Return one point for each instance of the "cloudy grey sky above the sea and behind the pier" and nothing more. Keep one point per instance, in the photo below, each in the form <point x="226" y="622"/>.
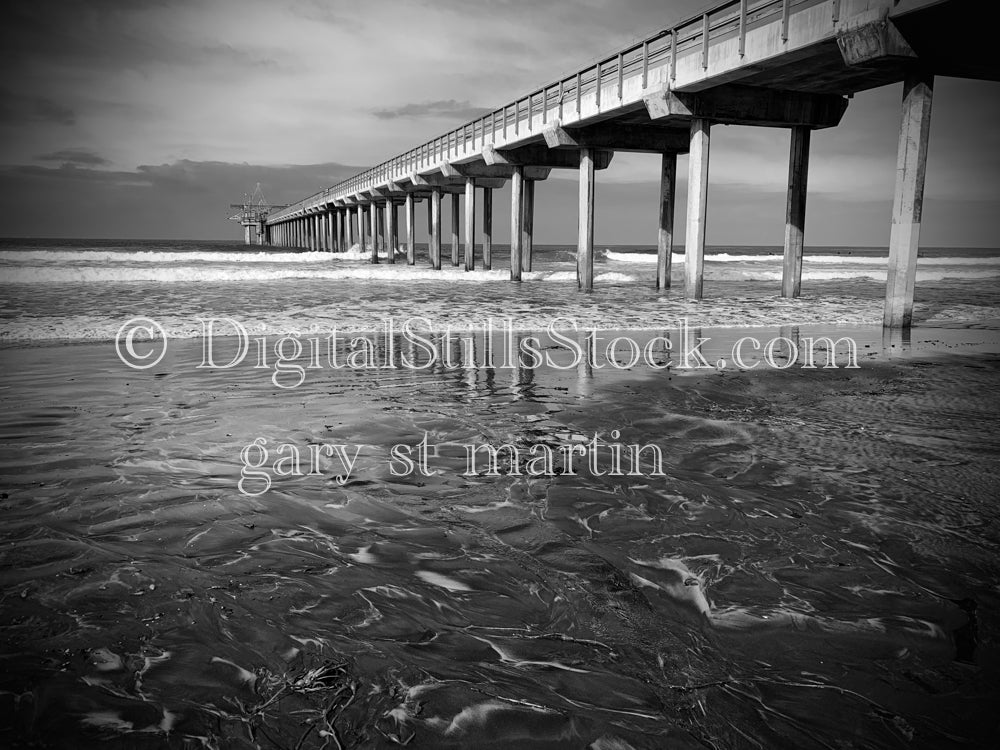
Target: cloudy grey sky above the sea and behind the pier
<point x="129" y="119"/>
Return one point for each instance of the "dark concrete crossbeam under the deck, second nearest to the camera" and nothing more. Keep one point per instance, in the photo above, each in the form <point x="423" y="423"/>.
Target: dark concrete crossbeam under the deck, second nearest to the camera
<point x="748" y="105"/>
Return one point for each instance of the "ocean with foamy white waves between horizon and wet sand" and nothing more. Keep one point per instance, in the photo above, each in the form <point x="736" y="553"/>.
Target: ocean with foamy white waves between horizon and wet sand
<point x="84" y="290"/>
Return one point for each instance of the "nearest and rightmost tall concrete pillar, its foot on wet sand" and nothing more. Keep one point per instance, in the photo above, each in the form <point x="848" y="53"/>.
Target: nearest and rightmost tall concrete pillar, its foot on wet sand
<point x="908" y="198"/>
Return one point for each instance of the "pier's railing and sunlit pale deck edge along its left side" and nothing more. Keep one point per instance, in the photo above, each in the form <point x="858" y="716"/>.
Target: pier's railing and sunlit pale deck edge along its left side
<point x="609" y="83"/>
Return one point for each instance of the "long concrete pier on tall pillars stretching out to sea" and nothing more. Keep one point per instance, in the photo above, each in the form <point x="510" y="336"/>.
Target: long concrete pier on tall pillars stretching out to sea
<point x="790" y="64"/>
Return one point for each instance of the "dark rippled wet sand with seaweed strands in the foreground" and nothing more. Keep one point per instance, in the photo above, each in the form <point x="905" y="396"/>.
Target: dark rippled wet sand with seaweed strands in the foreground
<point x="818" y="568"/>
